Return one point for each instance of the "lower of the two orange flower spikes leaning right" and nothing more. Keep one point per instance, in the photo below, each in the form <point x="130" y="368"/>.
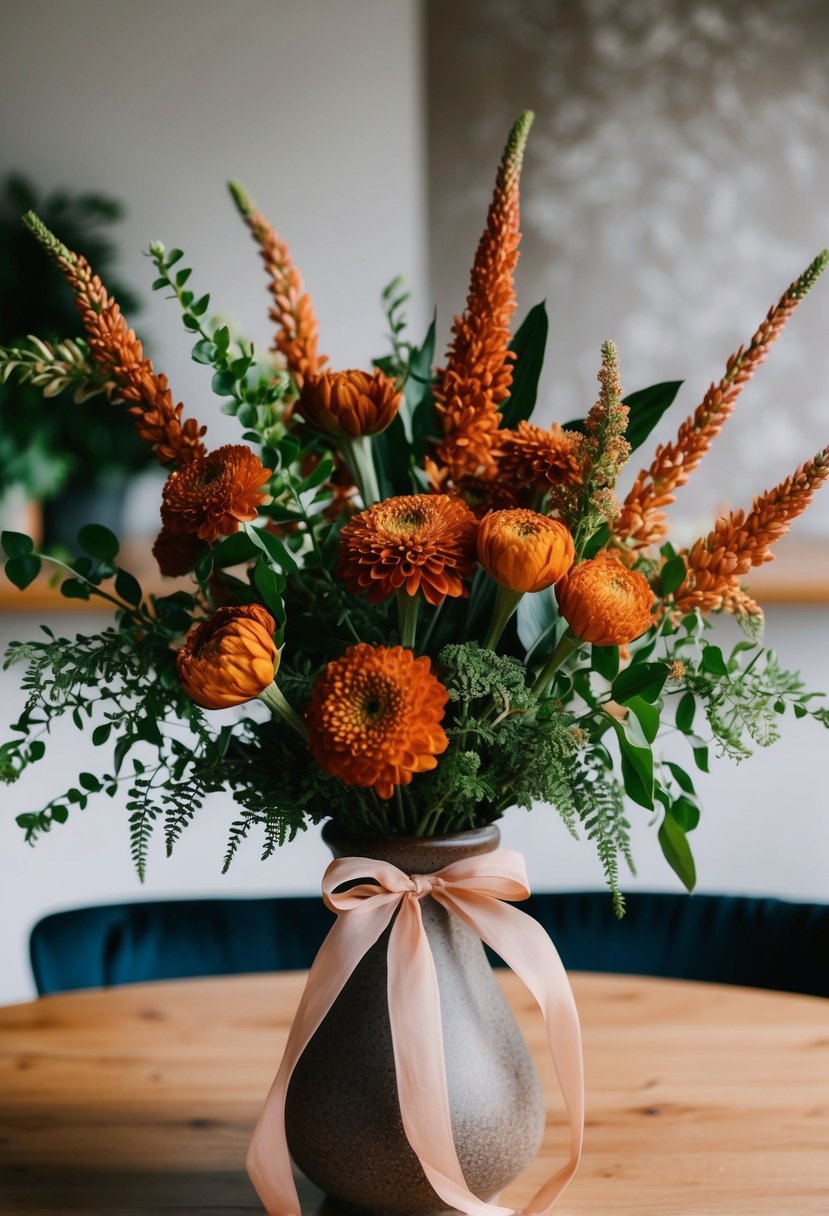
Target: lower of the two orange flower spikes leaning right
<point x="738" y="542"/>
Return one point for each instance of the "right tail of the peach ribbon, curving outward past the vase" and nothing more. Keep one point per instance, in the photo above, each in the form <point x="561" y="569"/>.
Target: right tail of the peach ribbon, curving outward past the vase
<point x="529" y="953"/>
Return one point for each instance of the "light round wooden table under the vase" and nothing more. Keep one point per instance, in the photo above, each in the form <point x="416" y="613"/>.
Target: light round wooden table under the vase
<point x="702" y="1100"/>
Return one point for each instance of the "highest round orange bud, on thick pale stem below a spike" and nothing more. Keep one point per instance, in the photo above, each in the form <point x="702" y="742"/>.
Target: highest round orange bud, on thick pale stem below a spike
<point x="349" y="403"/>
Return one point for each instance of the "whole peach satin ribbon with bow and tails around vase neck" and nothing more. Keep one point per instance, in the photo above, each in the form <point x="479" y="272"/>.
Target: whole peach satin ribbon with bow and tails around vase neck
<point x="475" y="891"/>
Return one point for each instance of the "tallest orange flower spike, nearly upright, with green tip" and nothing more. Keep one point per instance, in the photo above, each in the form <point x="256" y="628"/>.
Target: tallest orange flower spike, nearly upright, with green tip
<point x="478" y="373"/>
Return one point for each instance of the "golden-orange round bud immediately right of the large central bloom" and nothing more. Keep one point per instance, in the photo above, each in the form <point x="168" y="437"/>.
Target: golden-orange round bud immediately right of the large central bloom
<point x="523" y="550"/>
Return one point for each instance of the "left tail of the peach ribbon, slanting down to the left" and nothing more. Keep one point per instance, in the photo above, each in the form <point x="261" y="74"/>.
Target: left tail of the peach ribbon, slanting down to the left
<point x="268" y="1162"/>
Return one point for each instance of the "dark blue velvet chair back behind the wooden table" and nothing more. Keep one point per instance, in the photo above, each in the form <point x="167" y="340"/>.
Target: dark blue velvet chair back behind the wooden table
<point x="760" y="943"/>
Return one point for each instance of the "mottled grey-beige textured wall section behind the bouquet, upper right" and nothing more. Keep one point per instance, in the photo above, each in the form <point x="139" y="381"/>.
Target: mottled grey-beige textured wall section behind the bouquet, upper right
<point x="676" y="182"/>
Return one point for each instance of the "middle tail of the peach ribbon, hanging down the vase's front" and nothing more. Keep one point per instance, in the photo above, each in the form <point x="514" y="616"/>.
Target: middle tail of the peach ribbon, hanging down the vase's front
<point x="418" y="1039"/>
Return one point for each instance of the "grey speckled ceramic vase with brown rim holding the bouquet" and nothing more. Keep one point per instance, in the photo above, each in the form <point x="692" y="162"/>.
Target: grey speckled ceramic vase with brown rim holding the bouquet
<point x="343" y="1119"/>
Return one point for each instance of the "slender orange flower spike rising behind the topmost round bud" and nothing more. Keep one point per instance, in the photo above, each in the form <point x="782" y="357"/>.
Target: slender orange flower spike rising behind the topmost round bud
<point x="297" y="336"/>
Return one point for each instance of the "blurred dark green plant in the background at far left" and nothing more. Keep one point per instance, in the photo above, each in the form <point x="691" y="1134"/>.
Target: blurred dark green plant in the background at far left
<point x="76" y="463"/>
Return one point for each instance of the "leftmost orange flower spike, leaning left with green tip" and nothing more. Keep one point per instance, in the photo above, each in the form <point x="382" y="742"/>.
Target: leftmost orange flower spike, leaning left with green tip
<point x="120" y="354"/>
